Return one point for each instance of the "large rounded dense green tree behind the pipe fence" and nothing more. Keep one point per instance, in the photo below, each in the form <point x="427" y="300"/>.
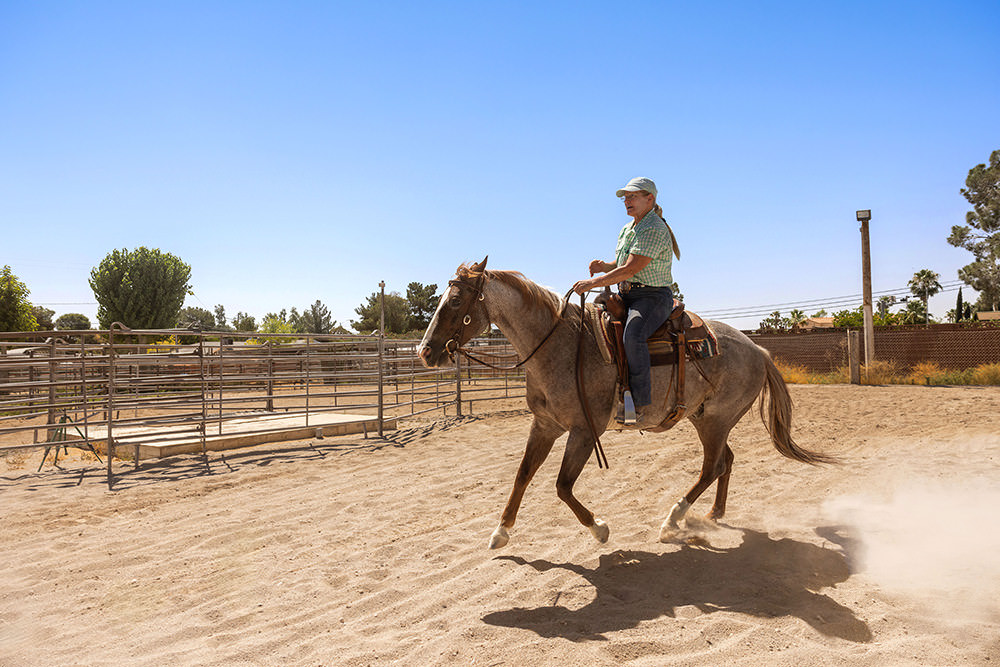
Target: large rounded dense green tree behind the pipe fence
<point x="143" y="288"/>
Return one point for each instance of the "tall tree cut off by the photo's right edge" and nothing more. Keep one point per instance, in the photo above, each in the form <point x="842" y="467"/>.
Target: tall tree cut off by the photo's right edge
<point x="980" y="234"/>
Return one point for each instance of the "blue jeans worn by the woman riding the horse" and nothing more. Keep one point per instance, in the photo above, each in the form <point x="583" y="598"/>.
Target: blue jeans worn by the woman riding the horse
<point x="648" y="309"/>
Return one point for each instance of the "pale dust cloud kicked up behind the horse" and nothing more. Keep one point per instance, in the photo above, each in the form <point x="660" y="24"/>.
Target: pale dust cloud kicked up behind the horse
<point x="937" y="540"/>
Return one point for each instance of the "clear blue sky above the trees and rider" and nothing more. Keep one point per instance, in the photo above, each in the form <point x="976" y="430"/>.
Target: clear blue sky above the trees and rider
<point x="294" y="151"/>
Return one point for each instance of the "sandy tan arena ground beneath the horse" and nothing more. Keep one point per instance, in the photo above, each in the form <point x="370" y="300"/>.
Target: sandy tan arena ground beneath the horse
<point x="346" y="551"/>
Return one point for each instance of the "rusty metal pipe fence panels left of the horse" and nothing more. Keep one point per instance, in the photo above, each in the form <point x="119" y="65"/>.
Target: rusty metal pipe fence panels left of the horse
<point x="78" y="388"/>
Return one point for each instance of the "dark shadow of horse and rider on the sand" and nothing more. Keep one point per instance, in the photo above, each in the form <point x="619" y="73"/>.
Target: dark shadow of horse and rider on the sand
<point x="762" y="577"/>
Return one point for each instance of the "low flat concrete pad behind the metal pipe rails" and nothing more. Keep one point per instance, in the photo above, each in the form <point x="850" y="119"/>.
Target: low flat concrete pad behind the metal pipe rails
<point x="236" y="431"/>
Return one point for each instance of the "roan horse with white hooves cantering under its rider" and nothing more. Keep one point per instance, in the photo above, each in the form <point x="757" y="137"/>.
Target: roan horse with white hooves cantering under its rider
<point x="545" y="332"/>
